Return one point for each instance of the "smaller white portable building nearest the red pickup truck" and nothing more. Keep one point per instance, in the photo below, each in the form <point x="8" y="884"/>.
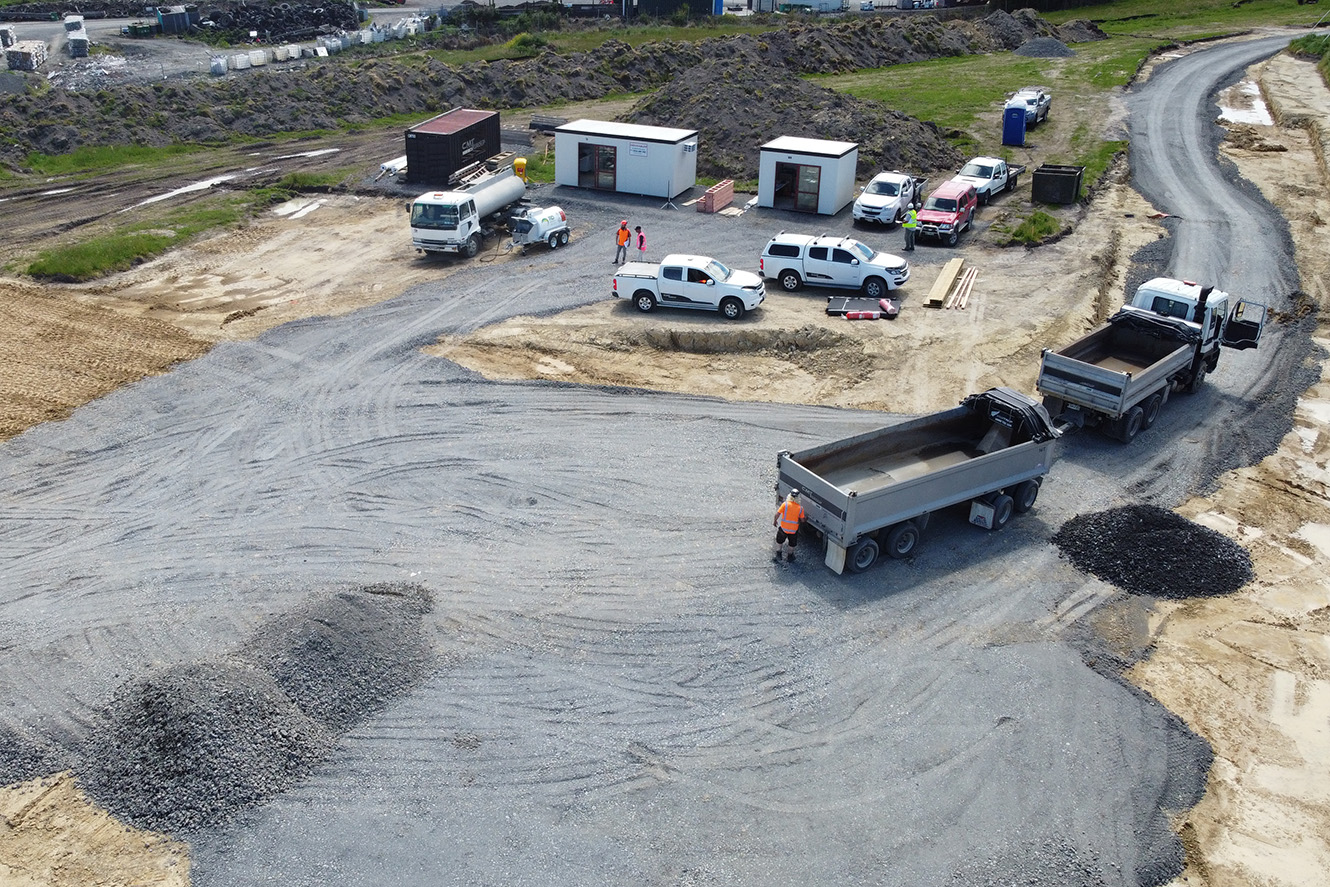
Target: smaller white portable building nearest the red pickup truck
<point x="807" y="175"/>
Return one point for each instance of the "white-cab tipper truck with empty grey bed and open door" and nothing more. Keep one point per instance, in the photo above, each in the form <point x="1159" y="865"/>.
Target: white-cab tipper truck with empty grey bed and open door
<point x="1167" y="340"/>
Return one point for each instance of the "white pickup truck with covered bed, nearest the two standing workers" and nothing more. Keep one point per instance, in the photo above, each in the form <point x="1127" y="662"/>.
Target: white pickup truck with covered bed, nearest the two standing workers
<point x="690" y="283"/>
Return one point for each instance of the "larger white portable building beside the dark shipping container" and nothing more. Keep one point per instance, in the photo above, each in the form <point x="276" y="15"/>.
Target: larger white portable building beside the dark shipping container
<point x="631" y="159"/>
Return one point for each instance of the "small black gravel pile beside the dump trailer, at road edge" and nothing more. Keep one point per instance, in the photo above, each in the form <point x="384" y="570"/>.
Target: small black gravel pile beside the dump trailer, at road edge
<point x="1147" y="550"/>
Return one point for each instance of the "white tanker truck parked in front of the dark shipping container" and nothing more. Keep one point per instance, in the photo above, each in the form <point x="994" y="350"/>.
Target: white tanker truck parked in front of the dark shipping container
<point x="458" y="221"/>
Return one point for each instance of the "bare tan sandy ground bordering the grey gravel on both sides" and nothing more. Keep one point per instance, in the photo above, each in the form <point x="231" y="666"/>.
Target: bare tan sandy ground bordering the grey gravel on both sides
<point x="1246" y="672"/>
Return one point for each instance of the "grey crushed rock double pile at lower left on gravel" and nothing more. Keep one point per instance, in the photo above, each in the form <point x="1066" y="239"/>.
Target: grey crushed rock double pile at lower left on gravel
<point x="191" y="745"/>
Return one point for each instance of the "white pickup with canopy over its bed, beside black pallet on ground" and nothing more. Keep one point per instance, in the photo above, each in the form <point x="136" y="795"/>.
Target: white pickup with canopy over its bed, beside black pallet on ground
<point x="843" y="263"/>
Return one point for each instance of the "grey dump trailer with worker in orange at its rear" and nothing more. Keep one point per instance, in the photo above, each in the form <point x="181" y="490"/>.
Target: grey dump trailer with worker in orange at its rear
<point x="876" y="493"/>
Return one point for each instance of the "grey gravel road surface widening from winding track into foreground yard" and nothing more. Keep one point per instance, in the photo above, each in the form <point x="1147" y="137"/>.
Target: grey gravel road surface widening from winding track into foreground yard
<point x="630" y="691"/>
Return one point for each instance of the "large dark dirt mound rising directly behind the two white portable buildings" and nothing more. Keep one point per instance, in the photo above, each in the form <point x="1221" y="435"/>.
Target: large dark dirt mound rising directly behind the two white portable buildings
<point x="740" y="104"/>
